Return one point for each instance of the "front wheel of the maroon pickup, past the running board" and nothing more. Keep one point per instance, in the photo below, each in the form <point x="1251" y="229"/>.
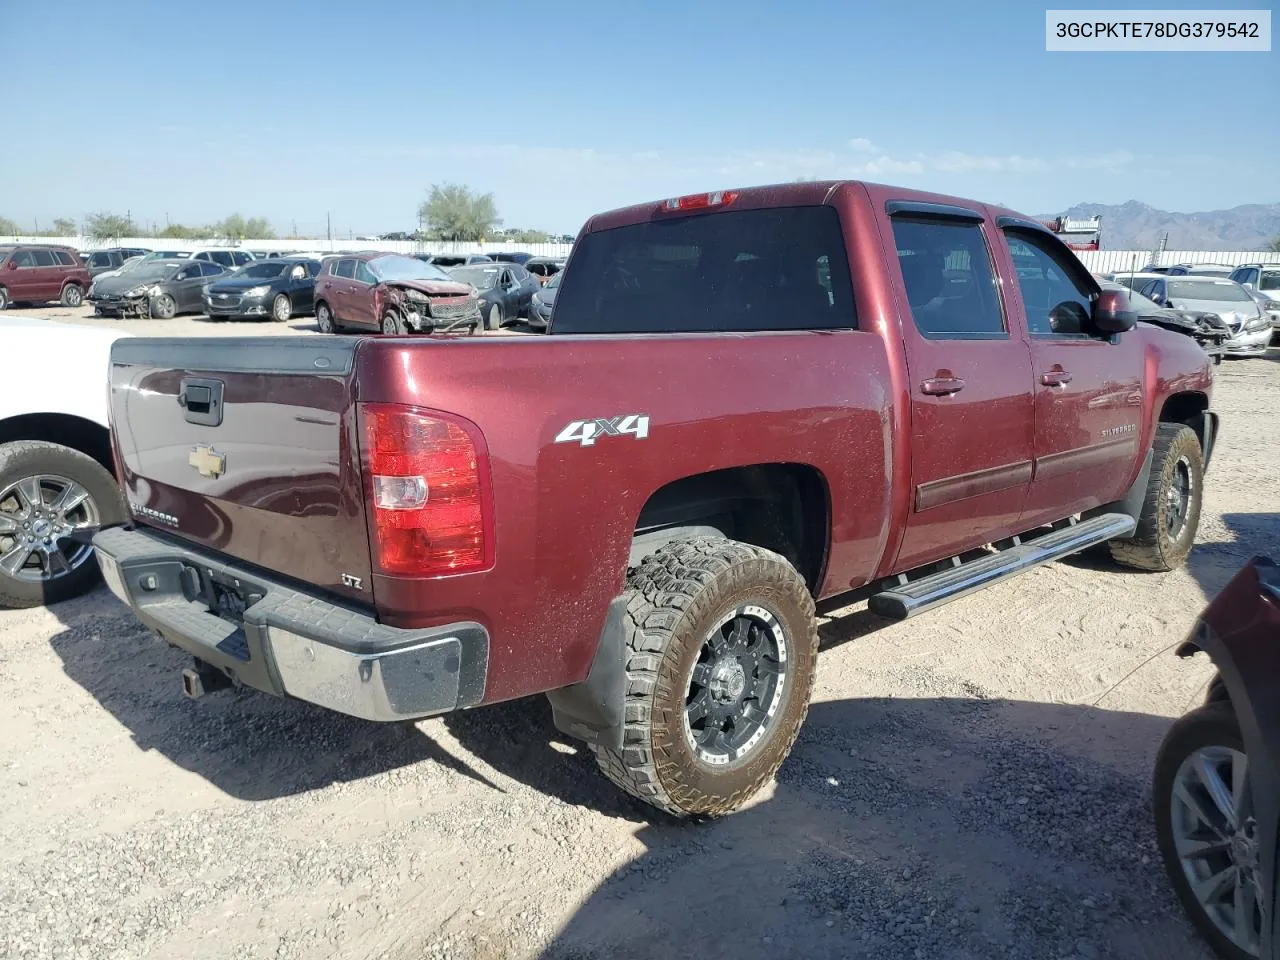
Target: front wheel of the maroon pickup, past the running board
<point x="1172" y="509"/>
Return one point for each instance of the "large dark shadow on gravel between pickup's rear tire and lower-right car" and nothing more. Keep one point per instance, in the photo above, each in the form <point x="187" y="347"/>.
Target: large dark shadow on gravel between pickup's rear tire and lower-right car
<point x="907" y="829"/>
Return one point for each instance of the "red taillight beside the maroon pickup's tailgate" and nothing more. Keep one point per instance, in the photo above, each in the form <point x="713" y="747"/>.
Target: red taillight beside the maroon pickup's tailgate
<point x="427" y="478"/>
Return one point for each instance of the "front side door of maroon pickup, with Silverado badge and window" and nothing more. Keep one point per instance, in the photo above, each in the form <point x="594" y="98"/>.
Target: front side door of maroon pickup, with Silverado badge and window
<point x="1089" y="388"/>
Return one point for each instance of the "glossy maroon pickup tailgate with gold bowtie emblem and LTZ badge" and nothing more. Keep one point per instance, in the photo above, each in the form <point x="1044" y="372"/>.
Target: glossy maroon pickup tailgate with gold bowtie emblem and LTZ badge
<point x="248" y="447"/>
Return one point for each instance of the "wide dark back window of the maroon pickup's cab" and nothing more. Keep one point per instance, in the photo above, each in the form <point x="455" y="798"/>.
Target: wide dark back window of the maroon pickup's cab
<point x="739" y="271"/>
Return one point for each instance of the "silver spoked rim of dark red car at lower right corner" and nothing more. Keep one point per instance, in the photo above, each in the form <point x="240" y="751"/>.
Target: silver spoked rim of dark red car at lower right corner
<point x="1217" y="842"/>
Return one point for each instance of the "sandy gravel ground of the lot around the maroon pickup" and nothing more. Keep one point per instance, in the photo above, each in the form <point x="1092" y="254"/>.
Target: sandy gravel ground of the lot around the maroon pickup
<point x="973" y="784"/>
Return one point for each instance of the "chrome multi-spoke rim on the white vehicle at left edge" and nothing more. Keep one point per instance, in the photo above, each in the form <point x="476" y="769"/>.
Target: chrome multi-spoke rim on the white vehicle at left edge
<point x="38" y="518"/>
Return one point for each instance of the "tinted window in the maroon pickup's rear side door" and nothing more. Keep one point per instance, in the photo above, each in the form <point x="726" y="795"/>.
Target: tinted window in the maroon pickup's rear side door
<point x="949" y="280"/>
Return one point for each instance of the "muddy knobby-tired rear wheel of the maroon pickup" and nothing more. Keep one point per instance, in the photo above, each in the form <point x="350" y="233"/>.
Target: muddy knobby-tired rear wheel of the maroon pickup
<point x="721" y="647"/>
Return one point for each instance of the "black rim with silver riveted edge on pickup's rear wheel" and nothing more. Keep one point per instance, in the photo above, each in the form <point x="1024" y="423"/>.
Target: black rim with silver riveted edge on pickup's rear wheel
<point x="737" y="685"/>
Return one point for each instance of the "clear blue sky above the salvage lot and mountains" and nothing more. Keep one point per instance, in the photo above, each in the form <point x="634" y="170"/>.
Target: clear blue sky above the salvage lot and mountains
<point x="291" y="111"/>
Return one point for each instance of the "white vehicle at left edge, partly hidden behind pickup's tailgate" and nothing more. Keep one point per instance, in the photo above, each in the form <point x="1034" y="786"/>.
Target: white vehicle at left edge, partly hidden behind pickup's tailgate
<point x="56" y="461"/>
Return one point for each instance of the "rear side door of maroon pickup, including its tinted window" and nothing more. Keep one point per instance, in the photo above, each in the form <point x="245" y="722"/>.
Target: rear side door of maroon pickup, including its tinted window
<point x="970" y="382"/>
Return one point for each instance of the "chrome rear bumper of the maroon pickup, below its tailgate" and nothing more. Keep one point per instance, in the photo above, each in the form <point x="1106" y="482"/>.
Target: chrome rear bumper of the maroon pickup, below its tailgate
<point x="290" y="643"/>
